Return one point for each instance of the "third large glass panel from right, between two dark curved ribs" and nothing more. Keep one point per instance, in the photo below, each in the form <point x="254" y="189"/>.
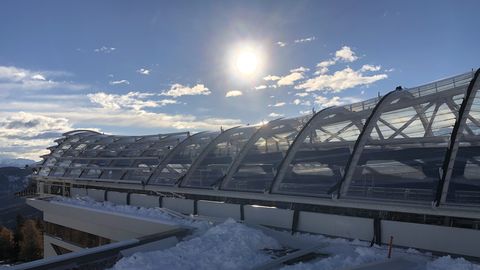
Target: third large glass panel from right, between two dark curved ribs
<point x="319" y="163"/>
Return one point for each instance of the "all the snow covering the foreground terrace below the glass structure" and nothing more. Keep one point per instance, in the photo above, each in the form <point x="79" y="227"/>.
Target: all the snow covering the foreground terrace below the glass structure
<point x="233" y="245"/>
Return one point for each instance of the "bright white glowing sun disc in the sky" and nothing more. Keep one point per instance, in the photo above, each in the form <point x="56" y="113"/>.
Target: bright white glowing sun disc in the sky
<point x="246" y="61"/>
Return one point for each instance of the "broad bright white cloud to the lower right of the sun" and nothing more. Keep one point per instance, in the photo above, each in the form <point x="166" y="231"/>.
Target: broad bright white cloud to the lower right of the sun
<point x="340" y="80"/>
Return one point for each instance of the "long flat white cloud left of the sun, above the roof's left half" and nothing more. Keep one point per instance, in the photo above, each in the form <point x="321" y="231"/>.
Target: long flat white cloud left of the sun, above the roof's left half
<point x="133" y="100"/>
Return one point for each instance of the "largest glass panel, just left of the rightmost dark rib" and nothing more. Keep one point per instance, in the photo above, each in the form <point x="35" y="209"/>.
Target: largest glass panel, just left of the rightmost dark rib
<point x="403" y="161"/>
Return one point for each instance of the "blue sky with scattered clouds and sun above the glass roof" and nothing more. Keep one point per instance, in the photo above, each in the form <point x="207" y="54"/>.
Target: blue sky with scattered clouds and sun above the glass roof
<point x="149" y="67"/>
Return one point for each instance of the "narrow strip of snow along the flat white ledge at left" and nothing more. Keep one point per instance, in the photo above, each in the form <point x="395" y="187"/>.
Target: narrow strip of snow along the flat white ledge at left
<point x="152" y="213"/>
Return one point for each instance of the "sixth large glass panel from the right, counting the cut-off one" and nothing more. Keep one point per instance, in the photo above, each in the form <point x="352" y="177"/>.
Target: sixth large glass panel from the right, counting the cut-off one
<point x="178" y="164"/>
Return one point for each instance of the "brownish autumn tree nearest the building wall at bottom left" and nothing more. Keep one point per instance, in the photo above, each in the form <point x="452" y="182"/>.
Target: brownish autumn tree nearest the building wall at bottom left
<point x="31" y="245"/>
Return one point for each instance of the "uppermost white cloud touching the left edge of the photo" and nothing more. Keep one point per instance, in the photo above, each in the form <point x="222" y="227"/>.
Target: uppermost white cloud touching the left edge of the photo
<point x="14" y="78"/>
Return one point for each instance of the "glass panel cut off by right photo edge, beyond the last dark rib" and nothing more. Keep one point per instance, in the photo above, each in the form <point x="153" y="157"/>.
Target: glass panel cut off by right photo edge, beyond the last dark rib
<point x="465" y="180"/>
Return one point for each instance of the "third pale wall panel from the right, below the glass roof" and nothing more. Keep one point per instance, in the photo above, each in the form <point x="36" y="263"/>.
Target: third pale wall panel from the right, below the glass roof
<point x="269" y="216"/>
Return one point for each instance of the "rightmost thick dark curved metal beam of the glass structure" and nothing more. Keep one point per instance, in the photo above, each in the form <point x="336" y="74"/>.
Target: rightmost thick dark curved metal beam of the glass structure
<point x="457" y="132"/>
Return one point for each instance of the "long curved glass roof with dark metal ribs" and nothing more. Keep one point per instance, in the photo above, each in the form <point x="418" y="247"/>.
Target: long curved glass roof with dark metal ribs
<point x="419" y="144"/>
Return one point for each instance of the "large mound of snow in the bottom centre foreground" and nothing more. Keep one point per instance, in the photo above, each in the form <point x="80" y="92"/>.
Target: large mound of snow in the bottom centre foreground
<point x="229" y="245"/>
